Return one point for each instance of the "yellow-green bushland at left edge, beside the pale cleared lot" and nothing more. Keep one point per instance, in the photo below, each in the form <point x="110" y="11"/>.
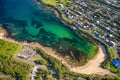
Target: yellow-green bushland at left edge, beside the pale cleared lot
<point x="8" y="65"/>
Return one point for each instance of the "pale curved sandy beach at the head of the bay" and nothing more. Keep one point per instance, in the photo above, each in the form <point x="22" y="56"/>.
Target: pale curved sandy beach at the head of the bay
<point x="94" y="65"/>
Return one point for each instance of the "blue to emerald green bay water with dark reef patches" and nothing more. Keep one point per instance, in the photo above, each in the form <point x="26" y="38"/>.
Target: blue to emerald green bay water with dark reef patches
<point x="26" y="20"/>
